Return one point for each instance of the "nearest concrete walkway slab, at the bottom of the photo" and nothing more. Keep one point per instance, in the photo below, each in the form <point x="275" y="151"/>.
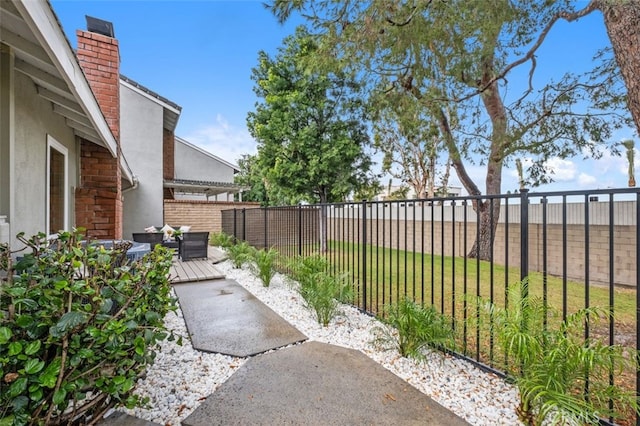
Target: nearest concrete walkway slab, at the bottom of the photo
<point x="318" y="384"/>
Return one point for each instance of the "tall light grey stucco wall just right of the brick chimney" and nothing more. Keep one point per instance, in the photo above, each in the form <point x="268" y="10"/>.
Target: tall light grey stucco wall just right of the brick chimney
<point x="141" y="138"/>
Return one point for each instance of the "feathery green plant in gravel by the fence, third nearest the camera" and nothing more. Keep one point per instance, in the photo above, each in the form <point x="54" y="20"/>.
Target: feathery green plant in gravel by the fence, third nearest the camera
<point x="321" y="290"/>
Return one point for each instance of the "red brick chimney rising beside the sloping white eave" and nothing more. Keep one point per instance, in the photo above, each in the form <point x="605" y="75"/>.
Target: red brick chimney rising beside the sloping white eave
<point x="99" y="195"/>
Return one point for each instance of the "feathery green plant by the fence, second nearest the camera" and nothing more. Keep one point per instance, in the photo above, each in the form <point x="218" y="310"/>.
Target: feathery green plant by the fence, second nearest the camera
<point x="413" y="327"/>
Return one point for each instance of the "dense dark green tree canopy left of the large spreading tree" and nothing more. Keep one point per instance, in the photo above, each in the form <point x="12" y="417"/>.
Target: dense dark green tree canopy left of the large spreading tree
<point x="310" y="127"/>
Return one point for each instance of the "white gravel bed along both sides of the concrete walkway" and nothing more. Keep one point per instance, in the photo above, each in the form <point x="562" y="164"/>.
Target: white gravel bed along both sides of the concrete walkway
<point x="182" y="377"/>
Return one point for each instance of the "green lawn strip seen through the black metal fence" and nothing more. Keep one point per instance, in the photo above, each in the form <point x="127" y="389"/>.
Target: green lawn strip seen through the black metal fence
<point x="444" y="281"/>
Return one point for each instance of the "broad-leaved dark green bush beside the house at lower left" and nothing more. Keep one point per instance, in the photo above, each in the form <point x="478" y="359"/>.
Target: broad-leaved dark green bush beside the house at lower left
<point x="77" y="329"/>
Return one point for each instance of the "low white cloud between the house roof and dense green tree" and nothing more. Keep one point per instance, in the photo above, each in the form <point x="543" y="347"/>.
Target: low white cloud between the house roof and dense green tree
<point x="224" y="140"/>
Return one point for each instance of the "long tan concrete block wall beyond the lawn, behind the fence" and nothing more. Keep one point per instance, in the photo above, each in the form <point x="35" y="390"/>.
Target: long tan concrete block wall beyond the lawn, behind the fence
<point x="418" y="236"/>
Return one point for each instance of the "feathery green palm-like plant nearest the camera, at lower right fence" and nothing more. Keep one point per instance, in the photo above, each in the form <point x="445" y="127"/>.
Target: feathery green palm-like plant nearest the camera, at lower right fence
<point x="551" y="366"/>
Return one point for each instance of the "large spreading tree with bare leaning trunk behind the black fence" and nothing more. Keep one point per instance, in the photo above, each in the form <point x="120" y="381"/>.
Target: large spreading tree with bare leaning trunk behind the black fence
<point x="457" y="58"/>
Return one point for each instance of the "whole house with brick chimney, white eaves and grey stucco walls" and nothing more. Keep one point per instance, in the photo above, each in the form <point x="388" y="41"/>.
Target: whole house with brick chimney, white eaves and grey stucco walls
<point x="50" y="93"/>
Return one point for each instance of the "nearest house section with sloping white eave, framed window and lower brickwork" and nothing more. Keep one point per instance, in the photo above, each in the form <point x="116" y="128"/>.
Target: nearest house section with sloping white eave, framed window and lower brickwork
<point x="46" y="99"/>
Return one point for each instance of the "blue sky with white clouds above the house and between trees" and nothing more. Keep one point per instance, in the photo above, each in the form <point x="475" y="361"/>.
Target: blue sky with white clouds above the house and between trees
<point x="199" y="54"/>
